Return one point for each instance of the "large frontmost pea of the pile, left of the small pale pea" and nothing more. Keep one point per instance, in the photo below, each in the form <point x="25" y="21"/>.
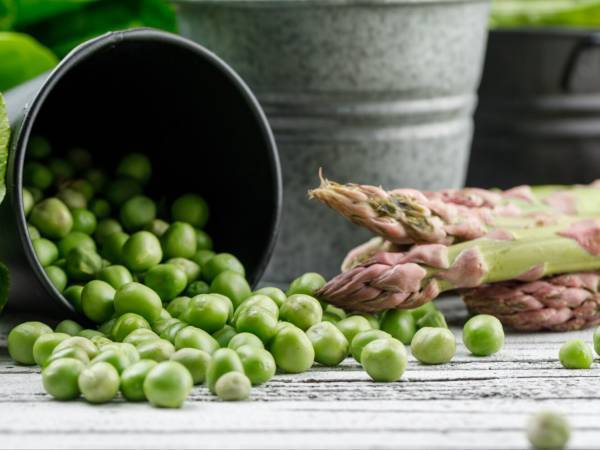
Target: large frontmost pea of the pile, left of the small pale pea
<point x="168" y="384"/>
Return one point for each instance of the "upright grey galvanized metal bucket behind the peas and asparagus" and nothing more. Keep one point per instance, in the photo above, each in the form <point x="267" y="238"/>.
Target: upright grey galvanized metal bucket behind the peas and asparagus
<point x="373" y="91"/>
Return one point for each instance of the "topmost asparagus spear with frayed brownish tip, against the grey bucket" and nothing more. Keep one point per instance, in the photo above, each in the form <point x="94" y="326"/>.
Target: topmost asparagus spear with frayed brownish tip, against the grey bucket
<point x="405" y="216"/>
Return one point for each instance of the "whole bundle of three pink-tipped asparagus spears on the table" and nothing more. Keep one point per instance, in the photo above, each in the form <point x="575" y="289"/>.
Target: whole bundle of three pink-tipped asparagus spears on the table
<point x="507" y="252"/>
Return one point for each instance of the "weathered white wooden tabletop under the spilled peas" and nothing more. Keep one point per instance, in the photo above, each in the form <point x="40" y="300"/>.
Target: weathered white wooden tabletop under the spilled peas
<point x="472" y="403"/>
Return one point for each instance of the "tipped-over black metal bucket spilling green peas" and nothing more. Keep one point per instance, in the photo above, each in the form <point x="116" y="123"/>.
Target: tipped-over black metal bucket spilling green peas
<point x="154" y="92"/>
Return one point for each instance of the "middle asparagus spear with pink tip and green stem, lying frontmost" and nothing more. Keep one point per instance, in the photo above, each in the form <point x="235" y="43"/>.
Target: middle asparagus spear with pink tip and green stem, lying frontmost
<point x="409" y="279"/>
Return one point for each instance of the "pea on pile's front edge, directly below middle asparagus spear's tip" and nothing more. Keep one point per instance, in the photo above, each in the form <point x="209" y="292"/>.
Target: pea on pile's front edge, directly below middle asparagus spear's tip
<point x="329" y="343"/>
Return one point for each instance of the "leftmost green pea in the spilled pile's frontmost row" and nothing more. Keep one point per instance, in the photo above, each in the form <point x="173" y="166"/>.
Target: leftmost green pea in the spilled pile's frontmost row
<point x="60" y="378"/>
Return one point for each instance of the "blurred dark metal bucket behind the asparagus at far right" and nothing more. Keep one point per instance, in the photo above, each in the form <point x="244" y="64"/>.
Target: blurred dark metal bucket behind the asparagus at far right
<point x="538" y="119"/>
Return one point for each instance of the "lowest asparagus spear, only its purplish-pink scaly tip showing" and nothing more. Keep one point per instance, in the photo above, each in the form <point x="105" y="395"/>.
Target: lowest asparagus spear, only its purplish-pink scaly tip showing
<point x="561" y="303"/>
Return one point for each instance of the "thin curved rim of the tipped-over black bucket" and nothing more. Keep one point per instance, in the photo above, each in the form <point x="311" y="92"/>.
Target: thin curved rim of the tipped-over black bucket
<point x="87" y="50"/>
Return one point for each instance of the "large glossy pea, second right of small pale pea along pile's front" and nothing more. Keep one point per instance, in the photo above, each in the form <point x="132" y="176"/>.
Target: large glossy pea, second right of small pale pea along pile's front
<point x="292" y="350"/>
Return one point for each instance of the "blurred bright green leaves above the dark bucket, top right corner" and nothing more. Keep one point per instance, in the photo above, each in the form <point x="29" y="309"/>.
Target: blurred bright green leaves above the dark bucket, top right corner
<point x="563" y="13"/>
